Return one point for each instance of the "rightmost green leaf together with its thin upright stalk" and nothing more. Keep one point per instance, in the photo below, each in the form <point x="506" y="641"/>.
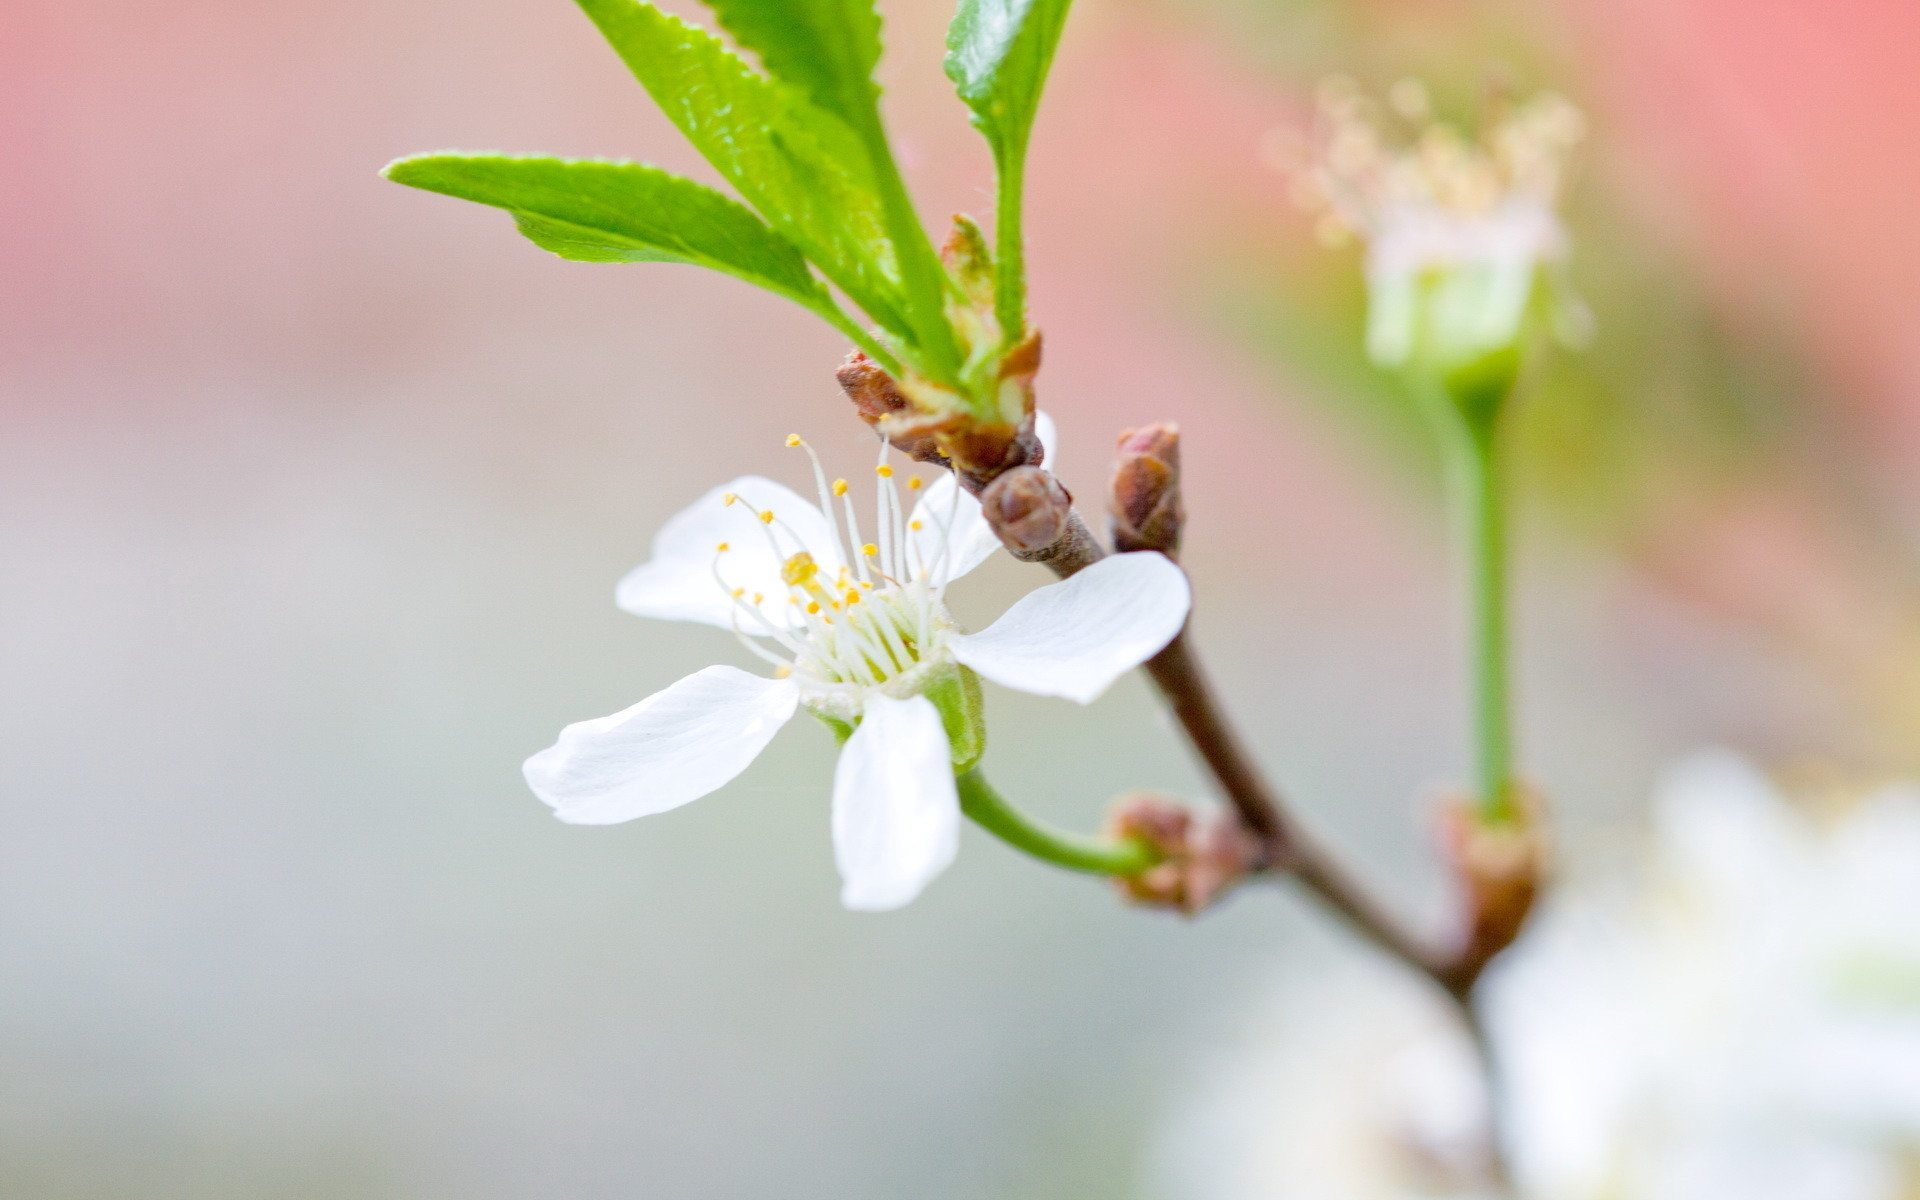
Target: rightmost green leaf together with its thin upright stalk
<point x="999" y="55"/>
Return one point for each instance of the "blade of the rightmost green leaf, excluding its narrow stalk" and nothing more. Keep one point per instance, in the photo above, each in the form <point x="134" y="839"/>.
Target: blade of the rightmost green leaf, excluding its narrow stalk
<point x="997" y="55"/>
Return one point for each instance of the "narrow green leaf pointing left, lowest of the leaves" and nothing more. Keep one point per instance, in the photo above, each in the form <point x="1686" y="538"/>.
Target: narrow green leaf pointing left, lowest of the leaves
<point x="602" y="212"/>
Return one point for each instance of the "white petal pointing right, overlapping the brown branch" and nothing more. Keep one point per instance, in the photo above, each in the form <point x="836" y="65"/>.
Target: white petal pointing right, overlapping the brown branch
<point x="1074" y="638"/>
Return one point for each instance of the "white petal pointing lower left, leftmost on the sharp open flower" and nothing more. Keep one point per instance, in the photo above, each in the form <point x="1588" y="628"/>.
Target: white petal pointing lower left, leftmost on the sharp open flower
<point x="671" y="748"/>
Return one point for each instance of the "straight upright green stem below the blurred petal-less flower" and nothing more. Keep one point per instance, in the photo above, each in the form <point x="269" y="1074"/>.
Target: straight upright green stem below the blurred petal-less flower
<point x="1485" y="523"/>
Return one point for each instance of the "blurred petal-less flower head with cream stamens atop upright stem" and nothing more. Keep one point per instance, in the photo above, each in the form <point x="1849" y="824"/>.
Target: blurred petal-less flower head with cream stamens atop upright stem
<point x="1456" y="231"/>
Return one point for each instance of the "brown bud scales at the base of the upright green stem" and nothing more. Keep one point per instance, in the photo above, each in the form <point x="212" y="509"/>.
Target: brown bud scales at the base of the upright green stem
<point x="1499" y="869"/>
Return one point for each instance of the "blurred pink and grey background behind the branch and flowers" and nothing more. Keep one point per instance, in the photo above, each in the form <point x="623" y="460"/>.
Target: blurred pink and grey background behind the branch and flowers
<point x="314" y="492"/>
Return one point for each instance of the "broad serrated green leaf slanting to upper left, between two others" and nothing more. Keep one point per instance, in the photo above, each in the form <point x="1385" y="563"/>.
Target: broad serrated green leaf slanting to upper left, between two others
<point x="800" y="164"/>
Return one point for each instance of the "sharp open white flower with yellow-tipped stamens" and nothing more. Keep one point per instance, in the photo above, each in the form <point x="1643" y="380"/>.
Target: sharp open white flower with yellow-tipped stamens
<point x="855" y="631"/>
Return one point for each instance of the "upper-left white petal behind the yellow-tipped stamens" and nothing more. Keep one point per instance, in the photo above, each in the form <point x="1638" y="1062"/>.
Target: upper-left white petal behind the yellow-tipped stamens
<point x="679" y="581"/>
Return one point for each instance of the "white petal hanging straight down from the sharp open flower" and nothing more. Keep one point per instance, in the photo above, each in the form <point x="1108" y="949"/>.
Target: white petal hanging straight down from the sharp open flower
<point x="896" y="807"/>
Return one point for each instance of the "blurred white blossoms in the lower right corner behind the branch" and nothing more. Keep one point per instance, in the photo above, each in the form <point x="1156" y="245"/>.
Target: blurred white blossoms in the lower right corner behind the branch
<point x="1740" y="1022"/>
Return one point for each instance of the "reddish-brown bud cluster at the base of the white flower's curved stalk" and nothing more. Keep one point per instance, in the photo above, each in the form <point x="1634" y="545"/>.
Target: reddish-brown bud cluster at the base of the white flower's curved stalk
<point x="1199" y="857"/>
